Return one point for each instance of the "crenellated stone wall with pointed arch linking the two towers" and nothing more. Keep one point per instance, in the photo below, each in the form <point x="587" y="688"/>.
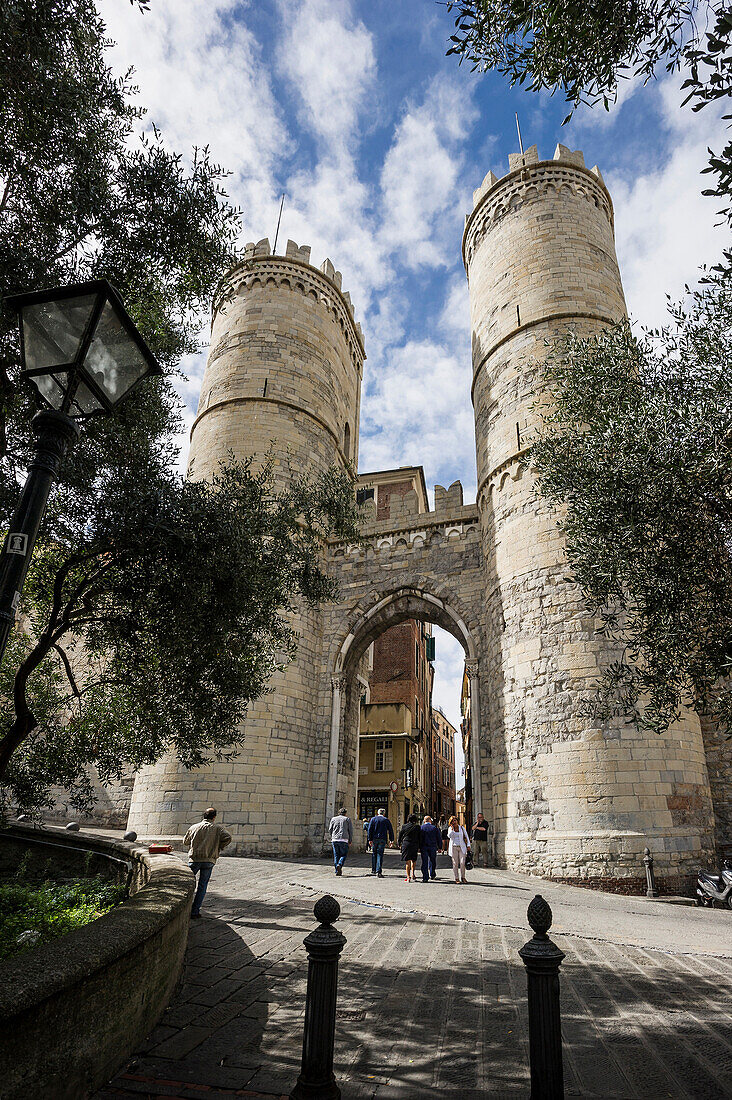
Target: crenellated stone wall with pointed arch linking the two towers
<point x="412" y="566"/>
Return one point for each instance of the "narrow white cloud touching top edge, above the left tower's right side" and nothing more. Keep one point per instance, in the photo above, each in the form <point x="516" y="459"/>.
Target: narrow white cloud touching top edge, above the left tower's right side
<point x="330" y="59"/>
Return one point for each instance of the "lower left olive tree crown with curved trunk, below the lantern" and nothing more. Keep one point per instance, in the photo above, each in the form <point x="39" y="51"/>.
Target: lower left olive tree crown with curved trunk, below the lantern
<point x="156" y="619"/>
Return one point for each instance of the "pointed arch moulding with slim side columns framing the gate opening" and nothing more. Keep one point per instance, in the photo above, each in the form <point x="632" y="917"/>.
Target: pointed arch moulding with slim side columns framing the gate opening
<point x="402" y="602"/>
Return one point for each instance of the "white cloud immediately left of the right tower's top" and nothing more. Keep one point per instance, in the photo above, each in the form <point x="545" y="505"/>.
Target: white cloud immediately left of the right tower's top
<point x="424" y="196"/>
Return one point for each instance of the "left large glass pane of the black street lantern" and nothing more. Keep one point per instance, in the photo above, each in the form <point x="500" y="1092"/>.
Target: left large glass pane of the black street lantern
<point x="53" y="331"/>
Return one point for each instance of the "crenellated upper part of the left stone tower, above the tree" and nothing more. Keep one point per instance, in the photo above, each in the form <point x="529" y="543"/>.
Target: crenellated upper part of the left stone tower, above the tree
<point x="283" y="372"/>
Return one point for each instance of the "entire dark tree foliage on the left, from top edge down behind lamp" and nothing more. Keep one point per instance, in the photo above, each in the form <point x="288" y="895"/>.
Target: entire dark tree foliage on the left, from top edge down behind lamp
<point x="156" y="610"/>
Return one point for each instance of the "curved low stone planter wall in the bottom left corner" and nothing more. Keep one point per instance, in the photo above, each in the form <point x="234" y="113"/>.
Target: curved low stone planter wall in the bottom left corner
<point x="74" y="1009"/>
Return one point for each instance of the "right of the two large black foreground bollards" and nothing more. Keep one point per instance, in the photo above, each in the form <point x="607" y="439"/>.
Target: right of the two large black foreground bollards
<point x="543" y="960"/>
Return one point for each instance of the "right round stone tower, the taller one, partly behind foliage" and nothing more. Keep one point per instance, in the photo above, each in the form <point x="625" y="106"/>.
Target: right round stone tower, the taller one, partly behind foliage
<point x="571" y="798"/>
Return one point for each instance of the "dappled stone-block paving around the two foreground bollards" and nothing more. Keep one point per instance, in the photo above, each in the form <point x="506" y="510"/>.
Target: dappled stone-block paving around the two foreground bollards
<point x="427" y="1007"/>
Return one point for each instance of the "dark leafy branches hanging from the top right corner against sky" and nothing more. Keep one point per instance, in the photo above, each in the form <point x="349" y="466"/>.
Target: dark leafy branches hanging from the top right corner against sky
<point x="585" y="51"/>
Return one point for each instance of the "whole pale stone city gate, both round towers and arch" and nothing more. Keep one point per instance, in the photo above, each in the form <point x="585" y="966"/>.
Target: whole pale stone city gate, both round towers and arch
<point x="567" y="797"/>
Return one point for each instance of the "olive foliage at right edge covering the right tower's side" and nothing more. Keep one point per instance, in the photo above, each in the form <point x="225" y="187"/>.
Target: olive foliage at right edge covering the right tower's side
<point x="637" y="446"/>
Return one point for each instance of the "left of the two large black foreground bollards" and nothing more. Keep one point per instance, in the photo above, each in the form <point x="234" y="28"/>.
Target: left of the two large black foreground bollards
<point x="316" y="1079"/>
